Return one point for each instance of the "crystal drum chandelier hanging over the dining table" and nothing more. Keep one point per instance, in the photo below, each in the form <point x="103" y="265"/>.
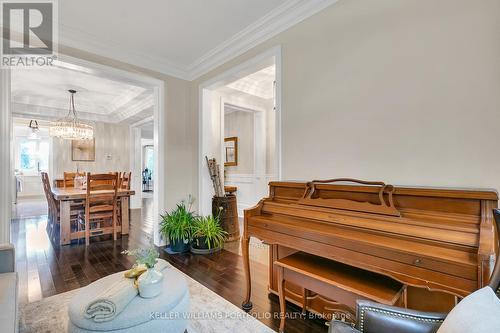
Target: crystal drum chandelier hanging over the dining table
<point x="70" y="128"/>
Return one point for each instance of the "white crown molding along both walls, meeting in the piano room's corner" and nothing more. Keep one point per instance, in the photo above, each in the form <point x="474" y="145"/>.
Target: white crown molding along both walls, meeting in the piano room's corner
<point x="273" y="23"/>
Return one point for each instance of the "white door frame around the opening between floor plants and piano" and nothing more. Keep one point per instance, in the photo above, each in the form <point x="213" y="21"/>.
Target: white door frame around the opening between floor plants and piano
<point x="233" y="73"/>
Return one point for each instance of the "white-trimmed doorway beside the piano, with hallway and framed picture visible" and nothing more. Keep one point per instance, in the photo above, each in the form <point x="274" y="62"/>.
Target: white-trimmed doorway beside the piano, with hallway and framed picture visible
<point x="242" y="103"/>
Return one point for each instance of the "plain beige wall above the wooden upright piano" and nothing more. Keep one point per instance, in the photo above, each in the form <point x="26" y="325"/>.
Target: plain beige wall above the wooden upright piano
<point x="404" y="91"/>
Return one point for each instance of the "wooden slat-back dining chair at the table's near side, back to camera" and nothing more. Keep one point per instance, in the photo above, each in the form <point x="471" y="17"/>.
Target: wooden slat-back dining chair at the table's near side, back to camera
<point x="100" y="216"/>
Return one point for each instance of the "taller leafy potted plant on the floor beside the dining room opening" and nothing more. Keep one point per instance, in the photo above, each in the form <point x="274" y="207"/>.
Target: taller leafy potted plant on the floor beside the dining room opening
<point x="177" y="226"/>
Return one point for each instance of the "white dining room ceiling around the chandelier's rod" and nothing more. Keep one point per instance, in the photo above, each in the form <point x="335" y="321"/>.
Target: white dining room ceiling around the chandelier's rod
<point x="43" y="94"/>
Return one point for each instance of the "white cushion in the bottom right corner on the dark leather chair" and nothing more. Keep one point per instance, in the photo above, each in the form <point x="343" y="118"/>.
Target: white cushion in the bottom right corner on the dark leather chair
<point x="477" y="313"/>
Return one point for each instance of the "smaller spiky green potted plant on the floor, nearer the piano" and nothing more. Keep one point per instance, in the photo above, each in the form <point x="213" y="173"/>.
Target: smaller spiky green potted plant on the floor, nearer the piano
<point x="208" y="235"/>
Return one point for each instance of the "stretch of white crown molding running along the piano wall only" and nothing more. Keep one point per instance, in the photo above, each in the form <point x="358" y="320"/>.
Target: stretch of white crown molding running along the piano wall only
<point x="276" y="21"/>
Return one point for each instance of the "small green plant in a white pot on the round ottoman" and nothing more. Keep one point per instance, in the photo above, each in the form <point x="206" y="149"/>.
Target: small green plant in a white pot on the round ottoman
<point x="149" y="282"/>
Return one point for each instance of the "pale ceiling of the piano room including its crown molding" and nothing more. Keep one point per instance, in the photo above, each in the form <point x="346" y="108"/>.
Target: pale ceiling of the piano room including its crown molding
<point x="181" y="38"/>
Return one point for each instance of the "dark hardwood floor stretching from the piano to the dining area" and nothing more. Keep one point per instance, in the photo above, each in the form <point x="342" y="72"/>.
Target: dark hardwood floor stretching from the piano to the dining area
<point x="46" y="269"/>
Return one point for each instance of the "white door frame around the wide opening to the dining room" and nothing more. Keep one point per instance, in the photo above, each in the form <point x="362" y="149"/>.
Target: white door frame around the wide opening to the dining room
<point x="159" y="116"/>
